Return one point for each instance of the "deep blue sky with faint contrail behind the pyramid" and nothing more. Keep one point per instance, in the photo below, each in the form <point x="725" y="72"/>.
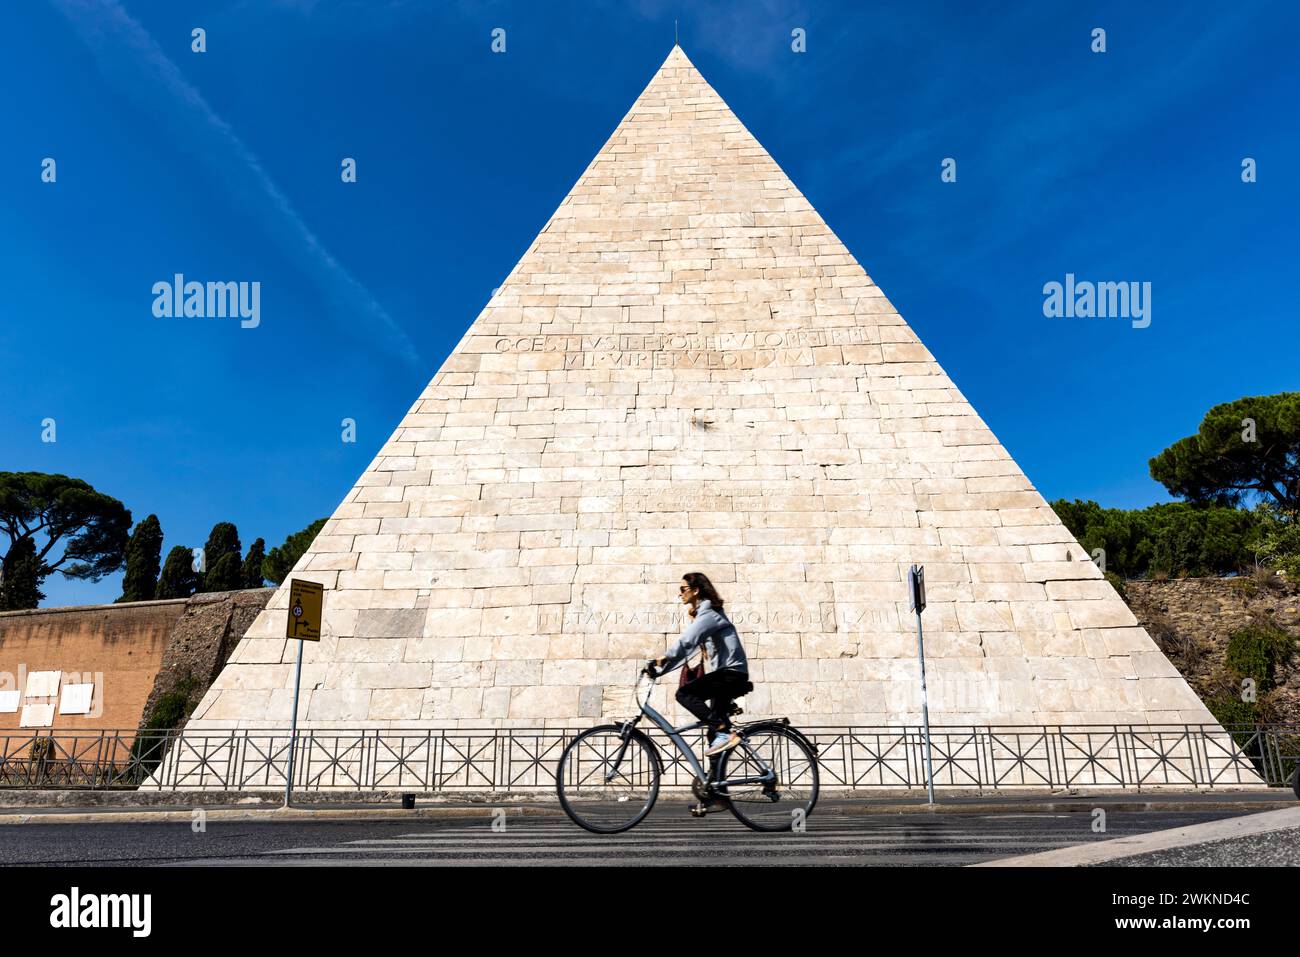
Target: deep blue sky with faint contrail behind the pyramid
<point x="226" y="166"/>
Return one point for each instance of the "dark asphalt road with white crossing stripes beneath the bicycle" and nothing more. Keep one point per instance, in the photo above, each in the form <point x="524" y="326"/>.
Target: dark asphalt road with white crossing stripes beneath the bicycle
<point x="669" y="837"/>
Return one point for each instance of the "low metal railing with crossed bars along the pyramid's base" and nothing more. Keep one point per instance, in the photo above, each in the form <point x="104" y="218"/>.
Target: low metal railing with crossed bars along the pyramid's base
<point x="522" y="760"/>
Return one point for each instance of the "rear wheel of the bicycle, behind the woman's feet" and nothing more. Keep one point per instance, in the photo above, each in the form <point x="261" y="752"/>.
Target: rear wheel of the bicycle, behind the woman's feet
<point x="790" y="768"/>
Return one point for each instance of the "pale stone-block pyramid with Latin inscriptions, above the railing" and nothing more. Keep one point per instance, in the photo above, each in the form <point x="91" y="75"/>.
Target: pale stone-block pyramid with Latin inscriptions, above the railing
<point x="688" y="371"/>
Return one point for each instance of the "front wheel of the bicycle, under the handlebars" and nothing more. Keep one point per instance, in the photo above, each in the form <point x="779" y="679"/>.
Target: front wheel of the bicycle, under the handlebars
<point x="606" y="781"/>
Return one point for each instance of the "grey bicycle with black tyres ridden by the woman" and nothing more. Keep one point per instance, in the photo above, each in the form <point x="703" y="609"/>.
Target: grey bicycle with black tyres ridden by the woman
<point x="609" y="777"/>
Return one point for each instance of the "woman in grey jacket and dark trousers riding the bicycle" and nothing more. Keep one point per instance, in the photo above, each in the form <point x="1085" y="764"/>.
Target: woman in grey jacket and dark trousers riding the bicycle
<point x="726" y="675"/>
